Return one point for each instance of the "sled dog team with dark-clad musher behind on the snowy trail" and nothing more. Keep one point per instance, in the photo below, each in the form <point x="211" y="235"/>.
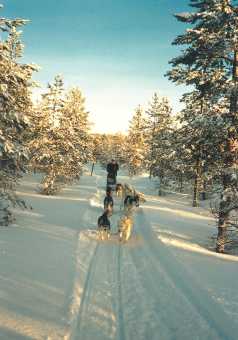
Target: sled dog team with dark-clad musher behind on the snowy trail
<point x="130" y="198"/>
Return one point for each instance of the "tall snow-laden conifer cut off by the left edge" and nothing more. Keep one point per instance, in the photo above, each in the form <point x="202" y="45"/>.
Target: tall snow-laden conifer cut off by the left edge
<point x="15" y="108"/>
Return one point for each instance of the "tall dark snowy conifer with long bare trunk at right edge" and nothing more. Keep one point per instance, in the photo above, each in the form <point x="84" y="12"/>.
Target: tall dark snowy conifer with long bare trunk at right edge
<point x="210" y="62"/>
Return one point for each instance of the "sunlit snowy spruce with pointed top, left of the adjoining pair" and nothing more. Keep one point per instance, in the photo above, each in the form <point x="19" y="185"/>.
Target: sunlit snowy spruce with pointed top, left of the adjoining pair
<point x="48" y="145"/>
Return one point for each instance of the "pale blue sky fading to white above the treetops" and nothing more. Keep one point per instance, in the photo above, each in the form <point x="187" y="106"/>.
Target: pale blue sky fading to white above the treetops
<point x="116" y="51"/>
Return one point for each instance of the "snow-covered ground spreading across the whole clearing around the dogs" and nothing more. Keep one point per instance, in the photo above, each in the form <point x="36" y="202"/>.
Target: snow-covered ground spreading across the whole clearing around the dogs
<point x="58" y="282"/>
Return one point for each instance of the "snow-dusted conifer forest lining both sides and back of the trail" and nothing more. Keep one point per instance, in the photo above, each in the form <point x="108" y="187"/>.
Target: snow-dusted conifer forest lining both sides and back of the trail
<point x="194" y="150"/>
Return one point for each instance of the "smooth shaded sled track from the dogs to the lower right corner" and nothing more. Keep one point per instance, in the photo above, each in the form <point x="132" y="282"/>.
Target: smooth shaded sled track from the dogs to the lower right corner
<point x="205" y="306"/>
